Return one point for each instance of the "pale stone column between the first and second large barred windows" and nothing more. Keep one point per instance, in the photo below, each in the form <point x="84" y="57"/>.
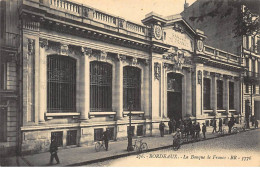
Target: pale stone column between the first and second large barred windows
<point x="85" y="108"/>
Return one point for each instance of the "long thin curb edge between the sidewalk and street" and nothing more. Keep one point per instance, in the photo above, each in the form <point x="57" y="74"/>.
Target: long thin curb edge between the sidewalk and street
<point x="148" y="150"/>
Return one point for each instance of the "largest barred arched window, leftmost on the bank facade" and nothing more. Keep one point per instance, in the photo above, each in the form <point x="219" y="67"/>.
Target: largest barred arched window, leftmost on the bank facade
<point x="61" y="84"/>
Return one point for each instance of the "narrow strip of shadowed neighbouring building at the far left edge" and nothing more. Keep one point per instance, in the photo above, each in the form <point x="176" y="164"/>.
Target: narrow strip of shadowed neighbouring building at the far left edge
<point x="9" y="78"/>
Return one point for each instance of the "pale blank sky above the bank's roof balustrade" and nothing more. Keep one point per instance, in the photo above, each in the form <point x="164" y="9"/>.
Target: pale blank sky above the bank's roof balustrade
<point x="135" y="10"/>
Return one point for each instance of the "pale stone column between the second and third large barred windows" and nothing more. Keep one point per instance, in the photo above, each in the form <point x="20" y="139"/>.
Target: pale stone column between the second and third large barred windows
<point x="119" y="87"/>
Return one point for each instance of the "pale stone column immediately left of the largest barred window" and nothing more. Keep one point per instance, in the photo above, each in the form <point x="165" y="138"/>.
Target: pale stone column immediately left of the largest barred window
<point x="43" y="81"/>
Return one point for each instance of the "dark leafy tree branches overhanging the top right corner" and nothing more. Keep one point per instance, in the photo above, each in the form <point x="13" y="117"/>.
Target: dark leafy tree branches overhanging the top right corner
<point x="247" y="20"/>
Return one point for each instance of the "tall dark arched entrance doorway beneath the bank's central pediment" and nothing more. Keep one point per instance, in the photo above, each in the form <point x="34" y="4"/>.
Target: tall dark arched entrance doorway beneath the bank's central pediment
<point x="174" y="96"/>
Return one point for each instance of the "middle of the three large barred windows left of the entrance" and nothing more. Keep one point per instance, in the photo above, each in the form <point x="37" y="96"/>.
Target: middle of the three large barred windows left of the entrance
<point x="100" y="86"/>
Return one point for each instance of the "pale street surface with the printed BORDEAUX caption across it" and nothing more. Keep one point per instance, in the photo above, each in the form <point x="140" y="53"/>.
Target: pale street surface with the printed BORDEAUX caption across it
<point x="240" y="149"/>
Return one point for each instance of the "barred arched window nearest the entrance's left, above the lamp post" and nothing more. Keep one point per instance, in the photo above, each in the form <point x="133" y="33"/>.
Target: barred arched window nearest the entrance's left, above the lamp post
<point x="132" y="87"/>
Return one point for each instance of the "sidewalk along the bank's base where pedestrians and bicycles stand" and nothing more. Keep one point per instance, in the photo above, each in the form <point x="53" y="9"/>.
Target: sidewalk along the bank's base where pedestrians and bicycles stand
<point x="86" y="155"/>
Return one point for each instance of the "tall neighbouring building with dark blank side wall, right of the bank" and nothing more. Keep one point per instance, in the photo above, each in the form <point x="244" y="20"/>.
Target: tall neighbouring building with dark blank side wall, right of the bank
<point x="221" y="34"/>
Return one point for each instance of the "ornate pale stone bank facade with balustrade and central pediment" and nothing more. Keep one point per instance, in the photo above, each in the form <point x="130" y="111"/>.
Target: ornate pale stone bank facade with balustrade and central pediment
<point x="83" y="67"/>
